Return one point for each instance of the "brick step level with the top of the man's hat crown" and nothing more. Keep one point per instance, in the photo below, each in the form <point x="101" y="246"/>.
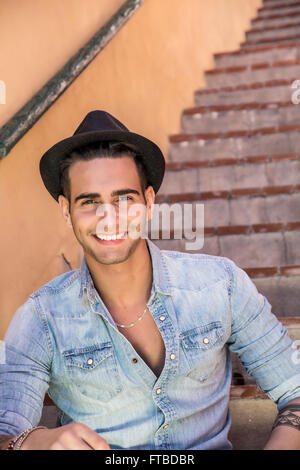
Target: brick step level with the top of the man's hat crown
<point x="248" y="116"/>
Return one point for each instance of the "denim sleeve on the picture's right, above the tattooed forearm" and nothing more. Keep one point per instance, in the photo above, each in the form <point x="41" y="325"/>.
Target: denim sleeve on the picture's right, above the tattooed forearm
<point x="261" y="341"/>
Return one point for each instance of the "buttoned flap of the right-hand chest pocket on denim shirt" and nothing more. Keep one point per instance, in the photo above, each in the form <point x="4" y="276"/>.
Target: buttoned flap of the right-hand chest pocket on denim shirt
<point x="203" y="337"/>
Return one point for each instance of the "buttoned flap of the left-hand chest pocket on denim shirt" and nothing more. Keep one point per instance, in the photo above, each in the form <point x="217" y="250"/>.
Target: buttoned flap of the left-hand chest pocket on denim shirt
<point x="88" y="357"/>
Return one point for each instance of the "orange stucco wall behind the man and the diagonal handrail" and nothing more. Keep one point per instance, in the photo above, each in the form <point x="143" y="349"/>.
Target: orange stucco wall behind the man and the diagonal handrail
<point x="145" y="76"/>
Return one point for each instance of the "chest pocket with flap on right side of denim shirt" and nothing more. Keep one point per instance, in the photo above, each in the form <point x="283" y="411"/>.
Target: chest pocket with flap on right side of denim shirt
<point x="202" y="350"/>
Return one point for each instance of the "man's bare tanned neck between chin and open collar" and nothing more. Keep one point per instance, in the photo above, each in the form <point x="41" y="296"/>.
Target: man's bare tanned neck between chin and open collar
<point x="125" y="284"/>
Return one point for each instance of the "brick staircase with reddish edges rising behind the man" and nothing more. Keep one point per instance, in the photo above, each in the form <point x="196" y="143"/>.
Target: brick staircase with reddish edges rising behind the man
<point x="238" y="153"/>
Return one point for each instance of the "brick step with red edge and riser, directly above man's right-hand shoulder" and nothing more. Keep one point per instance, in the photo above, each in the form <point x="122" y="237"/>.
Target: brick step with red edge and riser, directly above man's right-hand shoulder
<point x="247" y="247"/>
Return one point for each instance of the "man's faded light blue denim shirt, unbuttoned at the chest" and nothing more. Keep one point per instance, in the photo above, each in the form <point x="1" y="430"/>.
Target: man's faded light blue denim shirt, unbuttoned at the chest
<point x="63" y="340"/>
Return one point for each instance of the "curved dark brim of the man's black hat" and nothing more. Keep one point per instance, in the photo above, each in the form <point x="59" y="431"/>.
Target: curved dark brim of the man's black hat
<point x="151" y="154"/>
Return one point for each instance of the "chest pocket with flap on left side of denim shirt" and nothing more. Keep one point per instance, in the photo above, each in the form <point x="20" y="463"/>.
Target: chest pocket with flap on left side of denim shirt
<point x="93" y="371"/>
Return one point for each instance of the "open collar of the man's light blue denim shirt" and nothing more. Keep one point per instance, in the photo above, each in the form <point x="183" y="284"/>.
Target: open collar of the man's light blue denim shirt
<point x="160" y="284"/>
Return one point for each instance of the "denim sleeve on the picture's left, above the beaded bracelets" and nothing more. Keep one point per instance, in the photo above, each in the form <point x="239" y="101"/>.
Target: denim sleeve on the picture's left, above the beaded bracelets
<point x="24" y="370"/>
